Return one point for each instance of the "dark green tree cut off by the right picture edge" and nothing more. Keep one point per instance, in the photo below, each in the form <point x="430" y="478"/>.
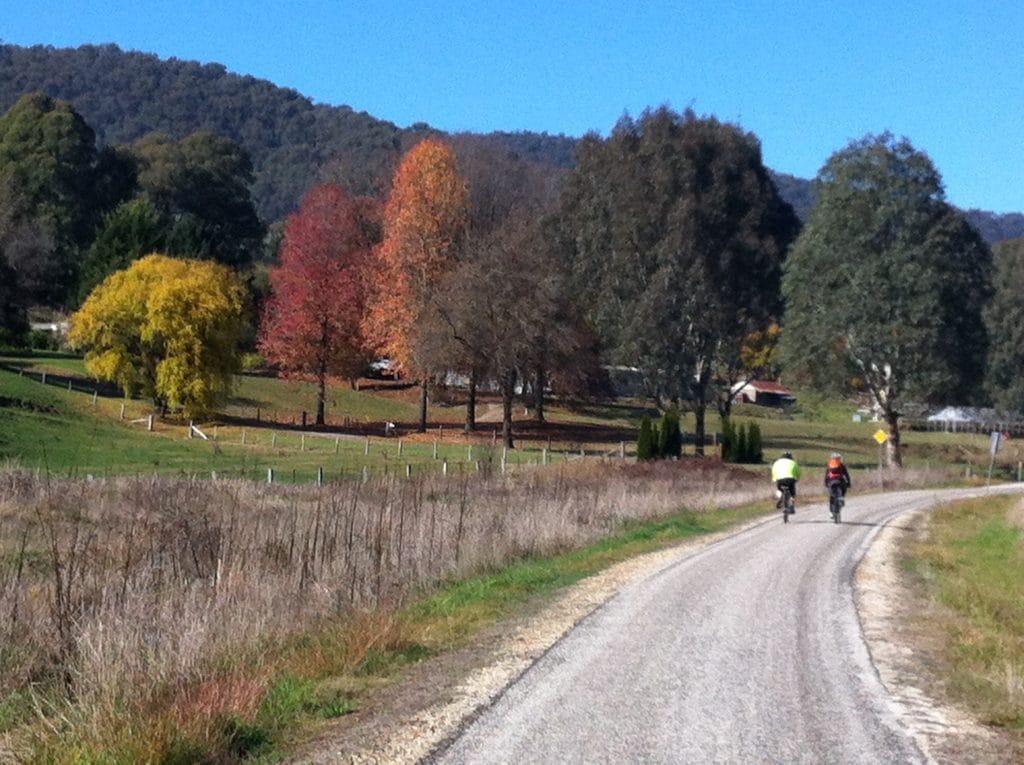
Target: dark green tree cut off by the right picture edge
<point x="1005" y="319"/>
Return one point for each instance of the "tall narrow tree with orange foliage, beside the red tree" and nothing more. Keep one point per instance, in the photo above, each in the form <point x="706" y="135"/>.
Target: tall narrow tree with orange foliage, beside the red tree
<point x="424" y="227"/>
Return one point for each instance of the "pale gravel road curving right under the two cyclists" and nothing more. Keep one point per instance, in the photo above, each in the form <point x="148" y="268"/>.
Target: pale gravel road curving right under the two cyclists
<point x="746" y="651"/>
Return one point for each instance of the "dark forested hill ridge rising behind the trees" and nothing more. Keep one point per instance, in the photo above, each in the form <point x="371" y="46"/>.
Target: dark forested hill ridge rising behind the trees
<point x="292" y="141"/>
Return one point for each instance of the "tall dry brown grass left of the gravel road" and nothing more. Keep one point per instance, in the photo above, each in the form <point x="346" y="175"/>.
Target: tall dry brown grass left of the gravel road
<point x="154" y="599"/>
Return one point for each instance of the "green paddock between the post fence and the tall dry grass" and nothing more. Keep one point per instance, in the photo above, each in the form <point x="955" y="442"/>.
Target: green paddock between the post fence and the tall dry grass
<point x="71" y="434"/>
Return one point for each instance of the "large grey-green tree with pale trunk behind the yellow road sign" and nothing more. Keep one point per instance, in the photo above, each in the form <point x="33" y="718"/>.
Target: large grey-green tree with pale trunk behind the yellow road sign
<point x="886" y="284"/>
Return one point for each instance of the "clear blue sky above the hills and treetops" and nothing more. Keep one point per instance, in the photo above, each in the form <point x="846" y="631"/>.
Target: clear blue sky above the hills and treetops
<point x="805" y="77"/>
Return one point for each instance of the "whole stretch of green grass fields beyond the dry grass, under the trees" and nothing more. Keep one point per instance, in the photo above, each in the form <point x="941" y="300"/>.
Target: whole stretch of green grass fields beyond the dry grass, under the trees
<point x="74" y="433"/>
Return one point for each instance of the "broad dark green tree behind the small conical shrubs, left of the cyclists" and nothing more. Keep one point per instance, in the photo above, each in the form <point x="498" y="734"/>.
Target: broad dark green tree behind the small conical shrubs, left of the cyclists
<point x="675" y="234"/>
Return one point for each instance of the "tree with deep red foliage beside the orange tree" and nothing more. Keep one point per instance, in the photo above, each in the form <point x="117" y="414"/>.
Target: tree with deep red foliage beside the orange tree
<point x="311" y="325"/>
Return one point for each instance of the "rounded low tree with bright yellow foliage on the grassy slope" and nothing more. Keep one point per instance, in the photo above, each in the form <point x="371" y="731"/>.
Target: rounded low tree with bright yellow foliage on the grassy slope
<point x="165" y="328"/>
